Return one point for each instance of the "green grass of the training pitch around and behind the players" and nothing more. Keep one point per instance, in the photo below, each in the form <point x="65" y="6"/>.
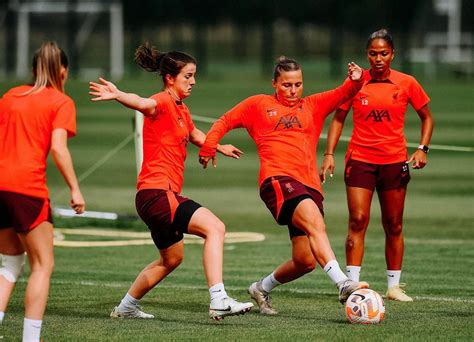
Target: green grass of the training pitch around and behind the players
<point x="439" y="256"/>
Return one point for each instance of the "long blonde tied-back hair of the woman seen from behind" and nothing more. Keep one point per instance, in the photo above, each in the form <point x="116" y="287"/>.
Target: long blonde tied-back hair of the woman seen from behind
<point x="47" y="63"/>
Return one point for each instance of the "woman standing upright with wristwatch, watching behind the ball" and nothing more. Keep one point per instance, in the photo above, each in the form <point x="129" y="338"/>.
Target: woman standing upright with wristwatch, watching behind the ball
<point x="377" y="156"/>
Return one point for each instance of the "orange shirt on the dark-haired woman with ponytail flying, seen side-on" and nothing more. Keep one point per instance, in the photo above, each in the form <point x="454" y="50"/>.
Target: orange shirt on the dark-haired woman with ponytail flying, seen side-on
<point x="165" y="137"/>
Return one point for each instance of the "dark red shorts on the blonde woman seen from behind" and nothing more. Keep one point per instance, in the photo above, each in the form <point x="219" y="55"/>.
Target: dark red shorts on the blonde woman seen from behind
<point x="23" y="212"/>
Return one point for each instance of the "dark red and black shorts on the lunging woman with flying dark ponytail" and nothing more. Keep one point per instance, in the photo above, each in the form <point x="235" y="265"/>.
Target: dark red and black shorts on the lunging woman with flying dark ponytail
<point x="166" y="213"/>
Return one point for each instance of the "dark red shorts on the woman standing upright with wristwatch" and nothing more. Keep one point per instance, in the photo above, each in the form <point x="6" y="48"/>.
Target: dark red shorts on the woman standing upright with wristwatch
<point x="376" y="176"/>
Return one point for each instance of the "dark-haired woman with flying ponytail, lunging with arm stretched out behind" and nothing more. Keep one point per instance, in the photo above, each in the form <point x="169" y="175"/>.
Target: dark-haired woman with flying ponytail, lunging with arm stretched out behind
<point x="167" y="130"/>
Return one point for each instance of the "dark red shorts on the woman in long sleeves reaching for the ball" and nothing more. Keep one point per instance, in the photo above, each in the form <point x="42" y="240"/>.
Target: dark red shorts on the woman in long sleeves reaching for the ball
<point x="282" y="194"/>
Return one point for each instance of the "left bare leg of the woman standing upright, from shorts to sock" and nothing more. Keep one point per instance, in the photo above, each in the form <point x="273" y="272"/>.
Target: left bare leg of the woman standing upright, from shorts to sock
<point x="358" y="201"/>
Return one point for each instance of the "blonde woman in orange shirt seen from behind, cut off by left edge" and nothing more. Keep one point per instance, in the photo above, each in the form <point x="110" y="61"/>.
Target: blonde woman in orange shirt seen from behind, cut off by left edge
<point x="34" y="120"/>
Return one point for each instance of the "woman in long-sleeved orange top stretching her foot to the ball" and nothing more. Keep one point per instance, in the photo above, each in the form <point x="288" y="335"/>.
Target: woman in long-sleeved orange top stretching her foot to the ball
<point x="286" y="128"/>
